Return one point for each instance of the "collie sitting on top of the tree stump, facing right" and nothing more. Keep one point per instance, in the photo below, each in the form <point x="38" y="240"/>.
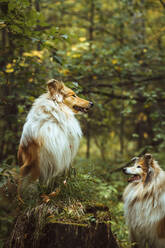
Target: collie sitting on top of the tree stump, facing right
<point x="51" y="133"/>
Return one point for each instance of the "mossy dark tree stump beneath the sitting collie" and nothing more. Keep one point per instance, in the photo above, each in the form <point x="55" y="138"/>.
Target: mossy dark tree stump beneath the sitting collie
<point x="39" y="228"/>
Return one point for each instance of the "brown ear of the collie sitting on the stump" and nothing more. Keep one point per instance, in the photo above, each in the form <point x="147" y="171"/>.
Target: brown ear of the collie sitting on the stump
<point x="54" y="87"/>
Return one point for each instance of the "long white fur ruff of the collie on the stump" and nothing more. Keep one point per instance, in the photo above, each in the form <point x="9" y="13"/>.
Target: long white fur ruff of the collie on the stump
<point x="57" y="132"/>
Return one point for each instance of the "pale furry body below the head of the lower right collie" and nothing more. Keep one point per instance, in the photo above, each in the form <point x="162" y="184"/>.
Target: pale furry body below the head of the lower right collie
<point x="144" y="208"/>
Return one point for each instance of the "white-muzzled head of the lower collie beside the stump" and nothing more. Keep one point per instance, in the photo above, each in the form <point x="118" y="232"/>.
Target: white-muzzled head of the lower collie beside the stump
<point x="141" y="170"/>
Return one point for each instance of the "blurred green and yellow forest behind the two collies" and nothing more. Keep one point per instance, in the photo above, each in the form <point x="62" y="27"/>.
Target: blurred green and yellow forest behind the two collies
<point x="109" y="51"/>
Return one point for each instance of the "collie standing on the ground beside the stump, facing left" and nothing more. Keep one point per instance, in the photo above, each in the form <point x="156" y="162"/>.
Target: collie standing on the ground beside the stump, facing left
<point x="144" y="203"/>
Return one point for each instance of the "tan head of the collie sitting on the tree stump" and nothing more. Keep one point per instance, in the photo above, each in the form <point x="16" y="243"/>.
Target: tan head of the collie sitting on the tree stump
<point x="62" y="94"/>
